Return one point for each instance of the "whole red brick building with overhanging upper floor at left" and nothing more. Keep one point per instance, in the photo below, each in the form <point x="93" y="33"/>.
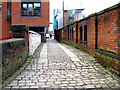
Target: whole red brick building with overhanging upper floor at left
<point x="33" y="14"/>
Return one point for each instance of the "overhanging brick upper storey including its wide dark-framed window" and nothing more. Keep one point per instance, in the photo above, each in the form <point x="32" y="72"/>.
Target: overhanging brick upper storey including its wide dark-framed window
<point x="24" y="13"/>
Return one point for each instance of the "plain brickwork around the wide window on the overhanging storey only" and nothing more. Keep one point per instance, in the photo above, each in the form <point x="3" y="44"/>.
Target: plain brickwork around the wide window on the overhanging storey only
<point x="43" y="20"/>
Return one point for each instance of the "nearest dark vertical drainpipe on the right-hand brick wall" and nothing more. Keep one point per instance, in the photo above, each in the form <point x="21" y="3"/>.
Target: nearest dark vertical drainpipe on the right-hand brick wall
<point x="96" y="31"/>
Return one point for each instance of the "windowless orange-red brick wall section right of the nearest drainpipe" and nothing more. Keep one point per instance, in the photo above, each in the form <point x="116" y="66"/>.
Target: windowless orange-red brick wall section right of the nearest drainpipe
<point x="108" y="30"/>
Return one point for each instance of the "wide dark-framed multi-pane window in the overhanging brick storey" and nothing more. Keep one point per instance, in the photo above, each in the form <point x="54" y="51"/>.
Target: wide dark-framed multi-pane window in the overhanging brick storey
<point x="30" y="9"/>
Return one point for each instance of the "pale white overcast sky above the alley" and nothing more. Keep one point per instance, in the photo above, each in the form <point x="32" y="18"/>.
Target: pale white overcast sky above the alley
<point x="90" y="6"/>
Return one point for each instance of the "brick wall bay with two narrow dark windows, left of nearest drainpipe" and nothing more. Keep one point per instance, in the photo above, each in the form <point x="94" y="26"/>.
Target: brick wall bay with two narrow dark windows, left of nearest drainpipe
<point x="86" y="35"/>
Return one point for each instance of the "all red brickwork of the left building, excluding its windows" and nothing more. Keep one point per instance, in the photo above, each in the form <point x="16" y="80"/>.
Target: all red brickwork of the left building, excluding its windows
<point x="17" y="19"/>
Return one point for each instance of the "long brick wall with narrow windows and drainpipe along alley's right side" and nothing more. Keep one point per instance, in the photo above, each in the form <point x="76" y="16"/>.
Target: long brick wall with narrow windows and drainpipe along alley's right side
<point x="99" y="30"/>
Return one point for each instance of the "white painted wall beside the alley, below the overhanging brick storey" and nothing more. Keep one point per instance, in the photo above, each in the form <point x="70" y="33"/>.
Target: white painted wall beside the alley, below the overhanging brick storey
<point x="34" y="41"/>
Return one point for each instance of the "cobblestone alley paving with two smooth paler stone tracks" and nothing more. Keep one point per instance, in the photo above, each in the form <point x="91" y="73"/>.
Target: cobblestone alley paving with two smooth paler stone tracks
<point x="57" y="69"/>
